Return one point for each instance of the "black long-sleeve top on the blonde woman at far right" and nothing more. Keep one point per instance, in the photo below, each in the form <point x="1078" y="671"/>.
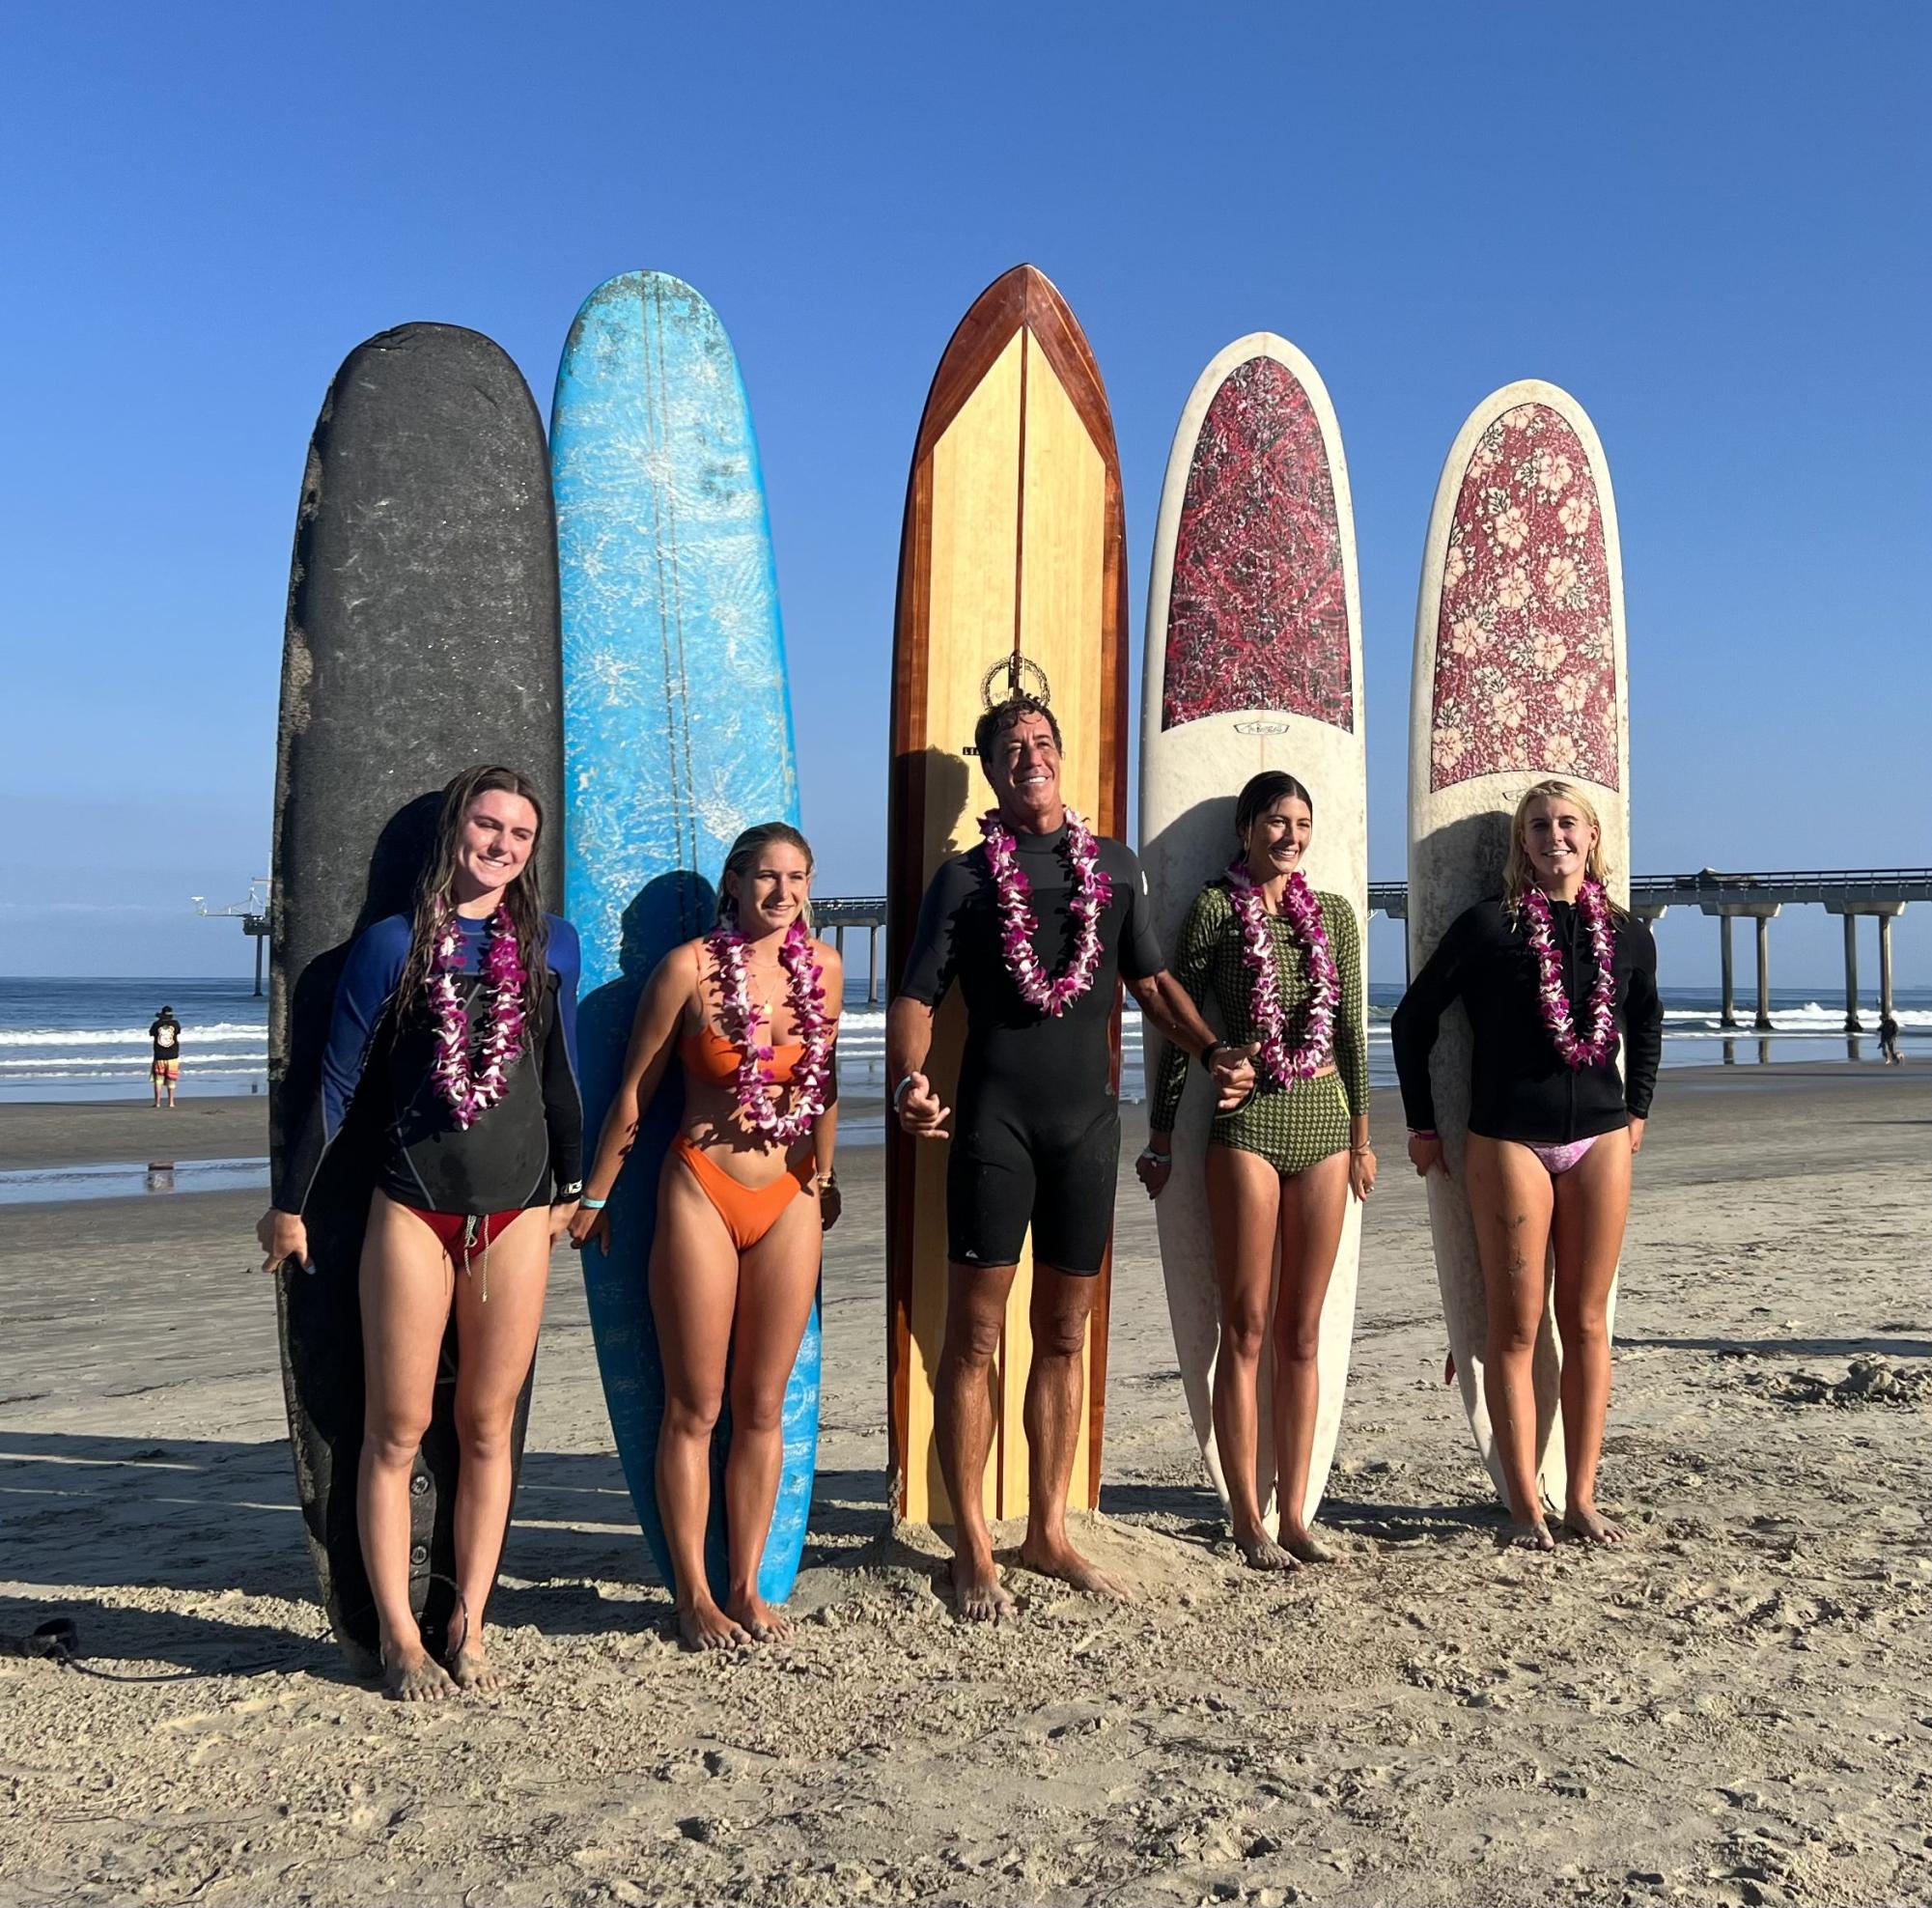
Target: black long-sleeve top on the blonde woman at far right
<point x="1521" y="1088"/>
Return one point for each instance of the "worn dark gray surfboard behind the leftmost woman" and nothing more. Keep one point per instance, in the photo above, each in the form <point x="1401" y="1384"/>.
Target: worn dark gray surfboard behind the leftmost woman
<point x="422" y="638"/>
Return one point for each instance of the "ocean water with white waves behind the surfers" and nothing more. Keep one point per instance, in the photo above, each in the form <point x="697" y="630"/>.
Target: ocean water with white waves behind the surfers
<point x="88" y="1040"/>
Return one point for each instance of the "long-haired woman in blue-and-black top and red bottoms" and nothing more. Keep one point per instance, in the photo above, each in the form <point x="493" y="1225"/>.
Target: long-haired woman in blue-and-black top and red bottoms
<point x="461" y="1024"/>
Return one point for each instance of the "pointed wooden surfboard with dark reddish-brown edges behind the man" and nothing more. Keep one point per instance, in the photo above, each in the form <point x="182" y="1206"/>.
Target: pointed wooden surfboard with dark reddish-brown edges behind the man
<point x="1013" y="544"/>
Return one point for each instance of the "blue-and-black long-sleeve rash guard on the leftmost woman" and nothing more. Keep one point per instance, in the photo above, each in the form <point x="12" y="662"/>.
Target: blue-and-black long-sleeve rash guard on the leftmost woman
<point x="515" y="1154"/>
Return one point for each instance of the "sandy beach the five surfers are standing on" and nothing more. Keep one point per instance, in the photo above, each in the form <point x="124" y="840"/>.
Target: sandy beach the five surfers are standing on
<point x="1730" y="1710"/>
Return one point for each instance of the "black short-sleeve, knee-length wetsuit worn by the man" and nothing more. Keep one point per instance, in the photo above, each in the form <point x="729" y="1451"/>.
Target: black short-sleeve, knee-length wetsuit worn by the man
<point x="1037" y="1129"/>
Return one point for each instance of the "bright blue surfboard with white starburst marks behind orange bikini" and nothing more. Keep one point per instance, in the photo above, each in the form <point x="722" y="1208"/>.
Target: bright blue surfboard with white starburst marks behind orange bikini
<point x="677" y="737"/>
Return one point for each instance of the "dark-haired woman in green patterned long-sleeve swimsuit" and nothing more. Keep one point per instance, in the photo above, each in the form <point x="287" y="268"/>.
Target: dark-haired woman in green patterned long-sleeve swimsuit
<point x="1282" y="1165"/>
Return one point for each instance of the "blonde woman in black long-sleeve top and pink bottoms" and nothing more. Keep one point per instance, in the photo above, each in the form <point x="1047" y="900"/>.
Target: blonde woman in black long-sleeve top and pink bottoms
<point x="1554" y="980"/>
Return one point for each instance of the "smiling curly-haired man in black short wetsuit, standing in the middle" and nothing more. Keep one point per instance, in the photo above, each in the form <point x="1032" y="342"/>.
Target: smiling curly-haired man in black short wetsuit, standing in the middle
<point x="1038" y="1136"/>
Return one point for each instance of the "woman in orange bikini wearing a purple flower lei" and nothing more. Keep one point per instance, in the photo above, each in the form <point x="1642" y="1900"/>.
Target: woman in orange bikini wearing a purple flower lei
<point x="751" y="1011"/>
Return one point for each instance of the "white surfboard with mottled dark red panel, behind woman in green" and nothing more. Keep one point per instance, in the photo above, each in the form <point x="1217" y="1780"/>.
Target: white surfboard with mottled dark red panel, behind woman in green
<point x="1253" y="661"/>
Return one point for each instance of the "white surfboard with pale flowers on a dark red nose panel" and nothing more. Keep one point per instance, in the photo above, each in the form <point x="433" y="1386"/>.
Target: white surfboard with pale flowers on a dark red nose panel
<point x="1520" y="675"/>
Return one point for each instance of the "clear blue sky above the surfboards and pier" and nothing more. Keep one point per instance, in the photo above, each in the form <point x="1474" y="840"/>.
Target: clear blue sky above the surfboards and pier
<point x="1711" y="223"/>
